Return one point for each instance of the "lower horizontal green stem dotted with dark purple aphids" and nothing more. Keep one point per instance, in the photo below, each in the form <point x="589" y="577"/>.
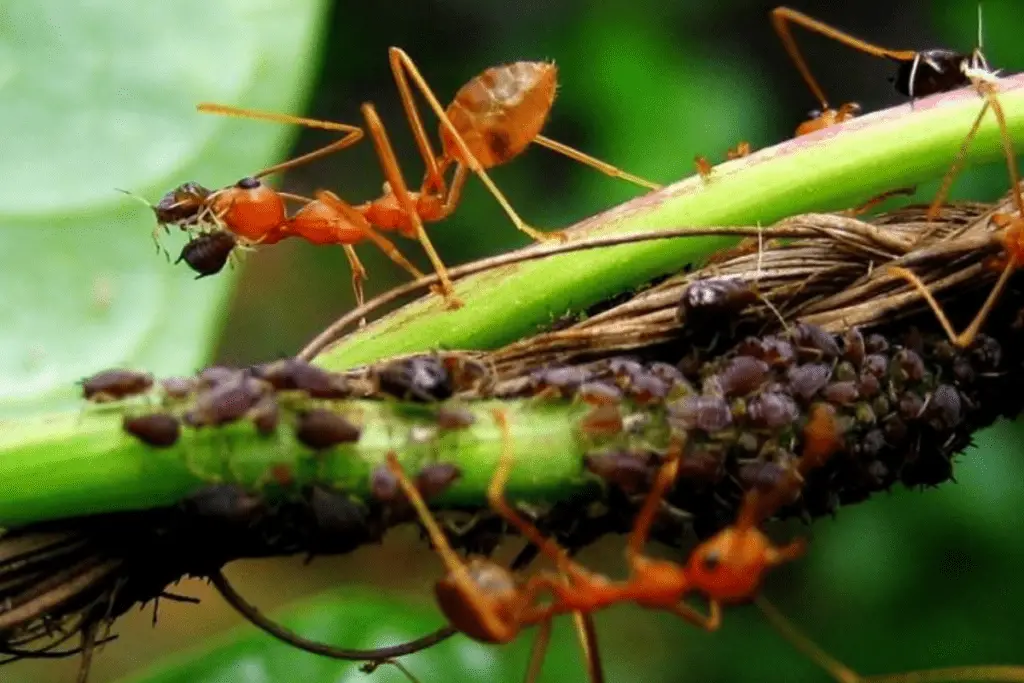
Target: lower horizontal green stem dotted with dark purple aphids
<point x="77" y="464"/>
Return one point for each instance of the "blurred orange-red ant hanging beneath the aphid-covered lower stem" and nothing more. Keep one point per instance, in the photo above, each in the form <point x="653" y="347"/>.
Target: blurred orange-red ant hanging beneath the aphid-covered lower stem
<point x="486" y="602"/>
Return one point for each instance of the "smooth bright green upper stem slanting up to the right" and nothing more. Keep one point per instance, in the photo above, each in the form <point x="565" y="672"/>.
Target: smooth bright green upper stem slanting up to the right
<point x="838" y="168"/>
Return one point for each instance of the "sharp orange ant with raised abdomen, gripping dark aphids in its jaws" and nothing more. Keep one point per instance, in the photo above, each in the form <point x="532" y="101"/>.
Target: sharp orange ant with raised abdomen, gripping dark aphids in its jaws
<point x="491" y="121"/>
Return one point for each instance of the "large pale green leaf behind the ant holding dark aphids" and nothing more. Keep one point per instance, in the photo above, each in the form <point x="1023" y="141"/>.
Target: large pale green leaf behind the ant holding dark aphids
<point x="102" y="96"/>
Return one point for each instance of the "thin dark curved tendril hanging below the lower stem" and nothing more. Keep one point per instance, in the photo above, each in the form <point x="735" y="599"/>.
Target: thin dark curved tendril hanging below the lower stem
<point x="254" y="617"/>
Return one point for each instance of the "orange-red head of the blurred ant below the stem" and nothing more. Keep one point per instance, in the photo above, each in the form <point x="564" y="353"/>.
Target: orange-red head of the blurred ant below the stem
<point x="729" y="567"/>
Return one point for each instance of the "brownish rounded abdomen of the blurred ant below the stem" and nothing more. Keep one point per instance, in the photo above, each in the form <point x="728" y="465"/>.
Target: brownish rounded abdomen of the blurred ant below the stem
<point x="495" y="589"/>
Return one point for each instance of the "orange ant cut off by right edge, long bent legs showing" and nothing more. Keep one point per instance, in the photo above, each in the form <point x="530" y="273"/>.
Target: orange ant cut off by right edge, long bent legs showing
<point x="1010" y="236"/>
